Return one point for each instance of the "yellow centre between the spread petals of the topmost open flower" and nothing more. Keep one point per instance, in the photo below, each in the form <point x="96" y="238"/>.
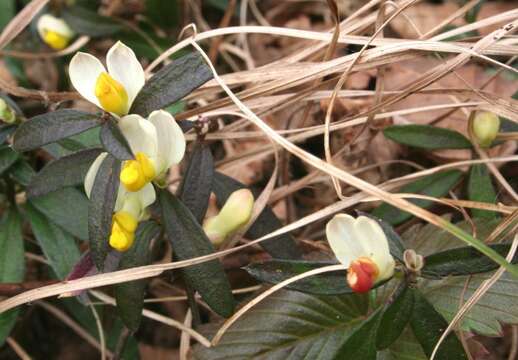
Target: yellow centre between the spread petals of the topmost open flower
<point x="111" y="94"/>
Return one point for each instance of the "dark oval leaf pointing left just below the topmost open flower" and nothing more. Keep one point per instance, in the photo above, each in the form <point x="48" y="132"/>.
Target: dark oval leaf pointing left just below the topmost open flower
<point x="52" y="126"/>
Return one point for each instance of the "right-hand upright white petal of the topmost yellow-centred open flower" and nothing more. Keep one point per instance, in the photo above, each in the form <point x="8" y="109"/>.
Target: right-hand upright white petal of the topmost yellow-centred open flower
<point x="124" y="67"/>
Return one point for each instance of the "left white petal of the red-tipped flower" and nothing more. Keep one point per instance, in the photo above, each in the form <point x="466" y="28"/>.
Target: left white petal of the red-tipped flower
<point x="343" y="240"/>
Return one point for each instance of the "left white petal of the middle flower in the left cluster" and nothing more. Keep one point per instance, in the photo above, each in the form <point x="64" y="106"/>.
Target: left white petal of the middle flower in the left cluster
<point x="140" y="134"/>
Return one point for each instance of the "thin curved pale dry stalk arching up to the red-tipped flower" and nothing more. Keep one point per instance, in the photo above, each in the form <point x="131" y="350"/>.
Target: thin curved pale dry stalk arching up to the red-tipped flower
<point x="276" y="287"/>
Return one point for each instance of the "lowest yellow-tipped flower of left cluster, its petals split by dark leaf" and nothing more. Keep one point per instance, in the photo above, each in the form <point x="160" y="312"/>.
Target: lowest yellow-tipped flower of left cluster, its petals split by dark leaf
<point x="130" y="208"/>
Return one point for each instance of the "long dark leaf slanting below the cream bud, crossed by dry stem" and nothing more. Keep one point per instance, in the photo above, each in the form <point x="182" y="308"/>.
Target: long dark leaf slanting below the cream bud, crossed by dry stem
<point x="189" y="241"/>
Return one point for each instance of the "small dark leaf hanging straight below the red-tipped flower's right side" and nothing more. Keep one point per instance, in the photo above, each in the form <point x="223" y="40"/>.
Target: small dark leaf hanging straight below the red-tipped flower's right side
<point x="394" y="317"/>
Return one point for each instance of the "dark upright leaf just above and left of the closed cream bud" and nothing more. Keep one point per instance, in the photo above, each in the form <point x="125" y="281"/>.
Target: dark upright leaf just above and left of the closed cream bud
<point x="197" y="182"/>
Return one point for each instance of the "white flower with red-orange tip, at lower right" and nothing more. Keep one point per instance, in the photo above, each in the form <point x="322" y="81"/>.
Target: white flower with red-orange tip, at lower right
<point x="362" y="246"/>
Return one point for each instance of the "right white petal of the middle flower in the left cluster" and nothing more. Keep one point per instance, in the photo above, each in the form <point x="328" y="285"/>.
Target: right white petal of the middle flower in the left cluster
<point x="171" y="140"/>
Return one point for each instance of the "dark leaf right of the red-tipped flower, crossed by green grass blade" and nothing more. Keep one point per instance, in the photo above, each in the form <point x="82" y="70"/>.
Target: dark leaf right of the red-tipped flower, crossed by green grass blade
<point x="462" y="261"/>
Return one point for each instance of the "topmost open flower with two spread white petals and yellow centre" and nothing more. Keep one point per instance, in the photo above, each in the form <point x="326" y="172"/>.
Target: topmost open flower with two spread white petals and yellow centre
<point x="113" y="90"/>
